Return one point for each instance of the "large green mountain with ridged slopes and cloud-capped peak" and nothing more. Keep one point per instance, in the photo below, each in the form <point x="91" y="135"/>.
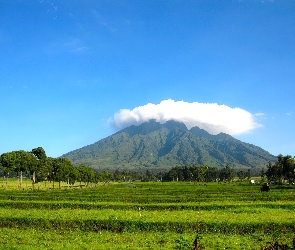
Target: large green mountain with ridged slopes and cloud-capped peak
<point x="162" y="146"/>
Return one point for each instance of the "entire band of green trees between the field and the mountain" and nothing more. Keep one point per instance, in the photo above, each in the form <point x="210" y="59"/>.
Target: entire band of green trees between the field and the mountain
<point x="38" y="167"/>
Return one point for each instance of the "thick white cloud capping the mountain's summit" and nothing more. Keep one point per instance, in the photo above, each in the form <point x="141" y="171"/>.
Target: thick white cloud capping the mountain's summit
<point x="212" y="117"/>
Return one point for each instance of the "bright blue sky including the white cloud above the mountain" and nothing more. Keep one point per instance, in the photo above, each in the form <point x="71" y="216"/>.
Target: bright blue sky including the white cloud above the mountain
<point x="68" y="69"/>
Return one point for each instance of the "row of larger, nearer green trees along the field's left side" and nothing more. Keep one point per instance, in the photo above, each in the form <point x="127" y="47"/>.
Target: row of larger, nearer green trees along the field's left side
<point x="38" y="167"/>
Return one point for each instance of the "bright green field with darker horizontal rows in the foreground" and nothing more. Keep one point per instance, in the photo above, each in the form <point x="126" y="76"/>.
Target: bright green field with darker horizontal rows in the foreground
<point x="150" y="216"/>
